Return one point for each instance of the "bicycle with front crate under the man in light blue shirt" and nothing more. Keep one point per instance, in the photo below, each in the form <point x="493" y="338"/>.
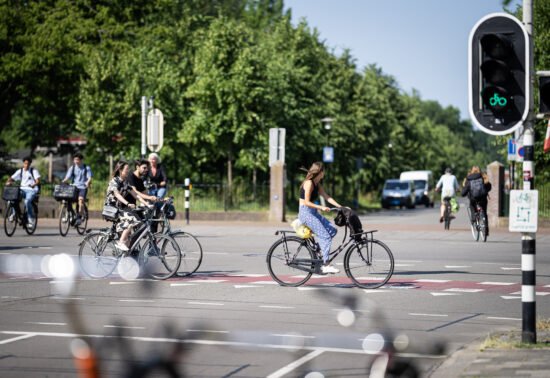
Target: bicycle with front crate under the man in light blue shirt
<point x="67" y="195"/>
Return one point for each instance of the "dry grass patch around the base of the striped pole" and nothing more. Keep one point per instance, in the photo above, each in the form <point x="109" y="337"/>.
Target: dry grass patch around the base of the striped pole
<point x="512" y="339"/>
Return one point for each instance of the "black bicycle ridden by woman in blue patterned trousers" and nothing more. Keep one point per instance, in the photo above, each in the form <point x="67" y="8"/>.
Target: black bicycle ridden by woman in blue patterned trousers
<point x="368" y="262"/>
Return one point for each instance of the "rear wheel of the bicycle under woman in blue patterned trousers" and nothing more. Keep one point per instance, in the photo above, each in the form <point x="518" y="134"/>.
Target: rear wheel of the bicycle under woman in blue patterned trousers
<point x="290" y="261"/>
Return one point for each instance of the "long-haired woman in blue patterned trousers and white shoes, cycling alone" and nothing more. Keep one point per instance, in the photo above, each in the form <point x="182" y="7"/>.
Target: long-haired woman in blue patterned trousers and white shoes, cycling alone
<point x="309" y="215"/>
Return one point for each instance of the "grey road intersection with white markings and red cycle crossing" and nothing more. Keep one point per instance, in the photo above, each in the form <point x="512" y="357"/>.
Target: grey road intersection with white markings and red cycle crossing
<point x="235" y="322"/>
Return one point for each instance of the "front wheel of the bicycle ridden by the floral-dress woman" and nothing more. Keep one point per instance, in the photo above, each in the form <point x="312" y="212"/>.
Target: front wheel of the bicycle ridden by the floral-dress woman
<point x="160" y="257"/>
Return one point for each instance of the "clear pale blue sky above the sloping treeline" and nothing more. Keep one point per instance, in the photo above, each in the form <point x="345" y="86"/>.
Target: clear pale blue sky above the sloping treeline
<point x="422" y="43"/>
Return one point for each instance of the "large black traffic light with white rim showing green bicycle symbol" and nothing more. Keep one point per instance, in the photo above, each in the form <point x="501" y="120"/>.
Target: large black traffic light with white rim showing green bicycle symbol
<point x="498" y="70"/>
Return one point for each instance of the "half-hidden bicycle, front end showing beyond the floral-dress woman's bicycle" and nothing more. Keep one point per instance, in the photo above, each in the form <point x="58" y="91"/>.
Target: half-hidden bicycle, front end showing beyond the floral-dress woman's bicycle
<point x="191" y="249"/>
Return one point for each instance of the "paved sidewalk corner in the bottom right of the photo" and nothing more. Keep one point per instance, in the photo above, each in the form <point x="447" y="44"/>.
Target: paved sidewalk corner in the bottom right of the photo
<point x="519" y="362"/>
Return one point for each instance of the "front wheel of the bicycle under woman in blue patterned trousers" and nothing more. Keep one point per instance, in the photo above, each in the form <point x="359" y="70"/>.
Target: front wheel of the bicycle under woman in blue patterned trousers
<point x="369" y="264"/>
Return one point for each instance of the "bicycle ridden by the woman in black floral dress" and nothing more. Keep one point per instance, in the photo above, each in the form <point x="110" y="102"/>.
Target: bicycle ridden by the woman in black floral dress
<point x="157" y="255"/>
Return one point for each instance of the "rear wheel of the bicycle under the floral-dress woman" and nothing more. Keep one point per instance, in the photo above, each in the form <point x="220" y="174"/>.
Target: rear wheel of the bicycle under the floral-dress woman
<point x="98" y="256"/>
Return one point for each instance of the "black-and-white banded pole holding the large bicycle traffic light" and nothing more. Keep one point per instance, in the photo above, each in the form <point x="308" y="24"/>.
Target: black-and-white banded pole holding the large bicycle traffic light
<point x="528" y="240"/>
